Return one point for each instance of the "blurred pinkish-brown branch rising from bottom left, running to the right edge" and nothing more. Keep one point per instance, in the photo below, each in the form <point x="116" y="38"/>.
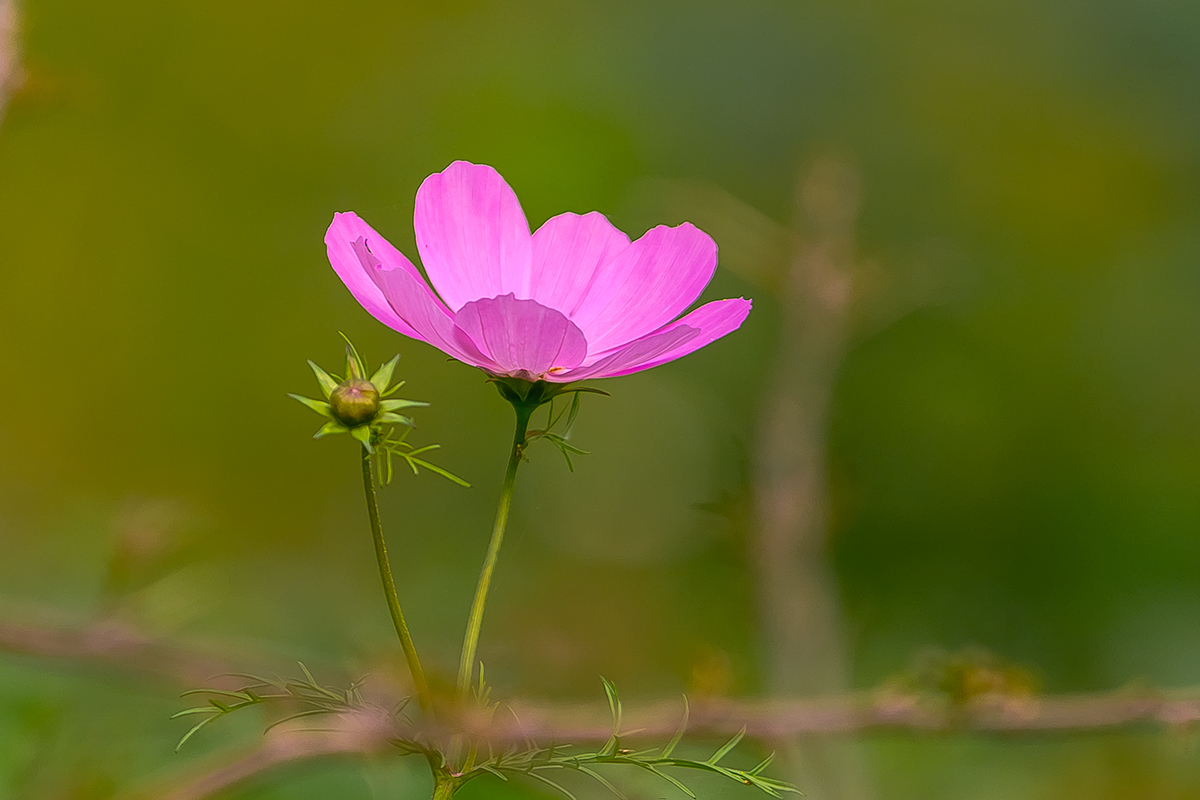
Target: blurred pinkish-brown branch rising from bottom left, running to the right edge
<point x="359" y="735"/>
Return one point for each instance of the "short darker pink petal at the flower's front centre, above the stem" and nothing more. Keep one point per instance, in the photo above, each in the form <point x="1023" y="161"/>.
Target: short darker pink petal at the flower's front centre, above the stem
<point x="523" y="338"/>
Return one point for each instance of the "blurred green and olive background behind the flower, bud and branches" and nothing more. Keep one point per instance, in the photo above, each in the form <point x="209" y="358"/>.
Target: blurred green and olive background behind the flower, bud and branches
<point x="1012" y="438"/>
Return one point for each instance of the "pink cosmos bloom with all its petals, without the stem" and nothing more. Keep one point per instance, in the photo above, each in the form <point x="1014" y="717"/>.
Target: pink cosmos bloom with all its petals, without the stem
<point x="574" y="300"/>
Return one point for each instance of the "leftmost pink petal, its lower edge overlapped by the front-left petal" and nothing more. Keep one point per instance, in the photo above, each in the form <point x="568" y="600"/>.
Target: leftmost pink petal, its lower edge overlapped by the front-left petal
<point x="345" y="243"/>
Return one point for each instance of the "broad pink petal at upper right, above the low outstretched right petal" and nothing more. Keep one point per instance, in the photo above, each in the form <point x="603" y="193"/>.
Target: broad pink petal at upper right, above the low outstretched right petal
<point x="646" y="286"/>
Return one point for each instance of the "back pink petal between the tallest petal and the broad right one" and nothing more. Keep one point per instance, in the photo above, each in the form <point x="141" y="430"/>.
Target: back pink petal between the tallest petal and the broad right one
<point x="568" y="251"/>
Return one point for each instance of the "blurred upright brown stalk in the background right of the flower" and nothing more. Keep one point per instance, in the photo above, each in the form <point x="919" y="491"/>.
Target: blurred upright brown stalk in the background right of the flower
<point x="799" y="600"/>
